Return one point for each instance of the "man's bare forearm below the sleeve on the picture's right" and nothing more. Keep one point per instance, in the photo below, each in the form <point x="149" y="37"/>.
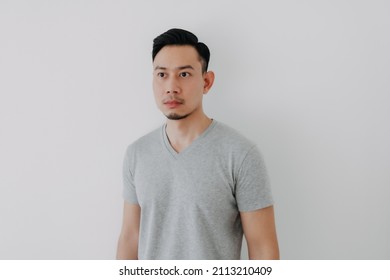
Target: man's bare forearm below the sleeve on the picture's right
<point x="260" y="233"/>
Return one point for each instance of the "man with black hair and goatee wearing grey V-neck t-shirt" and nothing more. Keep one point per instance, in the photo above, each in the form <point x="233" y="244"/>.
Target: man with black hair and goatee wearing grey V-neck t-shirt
<point x="193" y="187"/>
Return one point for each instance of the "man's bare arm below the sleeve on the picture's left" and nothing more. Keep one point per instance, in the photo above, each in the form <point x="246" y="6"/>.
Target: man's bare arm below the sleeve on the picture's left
<point x="128" y="239"/>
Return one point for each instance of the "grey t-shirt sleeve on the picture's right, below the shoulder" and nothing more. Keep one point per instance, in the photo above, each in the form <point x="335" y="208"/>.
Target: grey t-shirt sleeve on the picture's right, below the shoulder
<point x="253" y="189"/>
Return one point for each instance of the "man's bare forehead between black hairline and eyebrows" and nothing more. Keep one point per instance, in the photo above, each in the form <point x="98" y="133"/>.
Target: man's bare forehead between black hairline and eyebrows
<point x="176" y="56"/>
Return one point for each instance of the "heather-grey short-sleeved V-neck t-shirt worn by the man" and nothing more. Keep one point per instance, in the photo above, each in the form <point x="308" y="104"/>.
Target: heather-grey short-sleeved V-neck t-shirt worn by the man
<point x="190" y="201"/>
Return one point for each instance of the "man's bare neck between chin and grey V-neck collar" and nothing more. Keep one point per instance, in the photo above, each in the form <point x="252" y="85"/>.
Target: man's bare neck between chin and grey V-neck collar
<point x="181" y="133"/>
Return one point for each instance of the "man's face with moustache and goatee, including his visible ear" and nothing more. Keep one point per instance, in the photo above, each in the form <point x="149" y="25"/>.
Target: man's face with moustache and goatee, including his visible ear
<point x="178" y="82"/>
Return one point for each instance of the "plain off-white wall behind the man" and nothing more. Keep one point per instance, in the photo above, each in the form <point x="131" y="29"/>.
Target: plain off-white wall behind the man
<point x="306" y="80"/>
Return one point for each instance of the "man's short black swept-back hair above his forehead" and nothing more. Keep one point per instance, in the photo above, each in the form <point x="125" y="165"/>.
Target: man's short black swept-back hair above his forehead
<point x="180" y="37"/>
